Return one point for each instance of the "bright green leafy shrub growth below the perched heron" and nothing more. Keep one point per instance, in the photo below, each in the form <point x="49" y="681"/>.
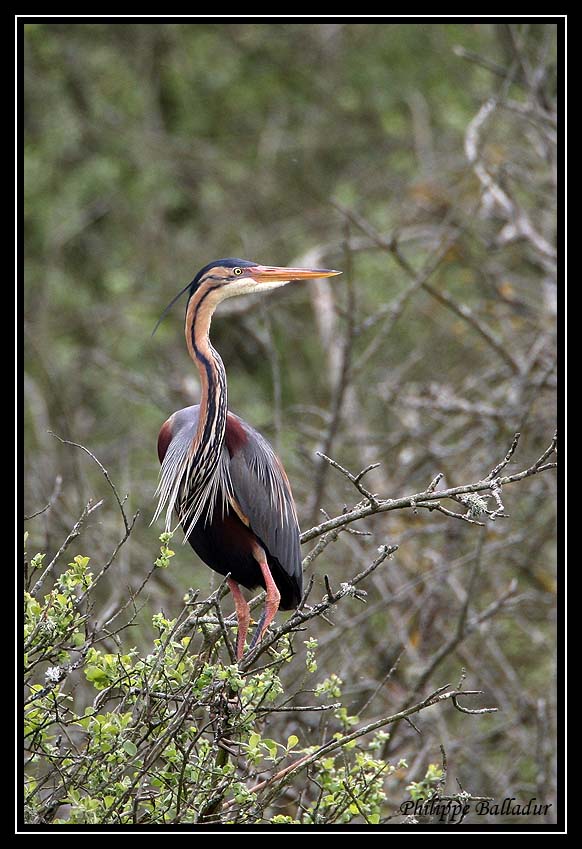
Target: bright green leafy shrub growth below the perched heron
<point x="154" y="745"/>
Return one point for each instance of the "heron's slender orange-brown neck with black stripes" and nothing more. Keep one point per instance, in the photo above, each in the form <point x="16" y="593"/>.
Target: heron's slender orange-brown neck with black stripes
<point x="209" y="438"/>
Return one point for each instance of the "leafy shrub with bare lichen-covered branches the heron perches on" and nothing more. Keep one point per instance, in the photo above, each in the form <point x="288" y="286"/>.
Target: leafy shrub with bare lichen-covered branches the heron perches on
<point x="178" y="735"/>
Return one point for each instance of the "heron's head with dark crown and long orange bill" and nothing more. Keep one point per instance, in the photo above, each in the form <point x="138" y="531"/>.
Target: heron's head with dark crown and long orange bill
<point x="229" y="277"/>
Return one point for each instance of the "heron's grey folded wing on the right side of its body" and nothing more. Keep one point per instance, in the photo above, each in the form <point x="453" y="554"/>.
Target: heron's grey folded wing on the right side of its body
<point x="262" y="490"/>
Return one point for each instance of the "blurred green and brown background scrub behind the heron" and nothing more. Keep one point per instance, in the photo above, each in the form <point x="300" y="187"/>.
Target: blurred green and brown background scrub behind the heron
<point x="152" y="149"/>
